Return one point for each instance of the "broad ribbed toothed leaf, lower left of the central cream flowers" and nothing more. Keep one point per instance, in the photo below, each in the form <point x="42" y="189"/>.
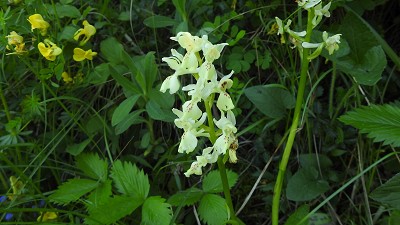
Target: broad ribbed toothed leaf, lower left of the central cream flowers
<point x="129" y="180"/>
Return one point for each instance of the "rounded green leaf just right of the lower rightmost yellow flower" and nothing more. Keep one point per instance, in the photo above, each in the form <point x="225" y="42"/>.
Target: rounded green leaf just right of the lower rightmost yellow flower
<point x="112" y="50"/>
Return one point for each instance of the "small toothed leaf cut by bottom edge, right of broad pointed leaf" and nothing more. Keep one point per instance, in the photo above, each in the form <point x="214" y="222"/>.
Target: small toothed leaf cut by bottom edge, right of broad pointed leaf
<point x="156" y="212"/>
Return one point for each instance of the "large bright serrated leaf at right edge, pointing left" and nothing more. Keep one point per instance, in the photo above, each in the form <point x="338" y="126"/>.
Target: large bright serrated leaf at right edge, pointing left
<point x="380" y="122"/>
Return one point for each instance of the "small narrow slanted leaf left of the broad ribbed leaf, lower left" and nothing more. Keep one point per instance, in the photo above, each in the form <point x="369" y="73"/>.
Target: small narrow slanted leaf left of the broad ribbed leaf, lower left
<point x="100" y="195"/>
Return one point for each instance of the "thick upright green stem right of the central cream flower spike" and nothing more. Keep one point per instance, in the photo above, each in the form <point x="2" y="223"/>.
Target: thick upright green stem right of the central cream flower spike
<point x="293" y="128"/>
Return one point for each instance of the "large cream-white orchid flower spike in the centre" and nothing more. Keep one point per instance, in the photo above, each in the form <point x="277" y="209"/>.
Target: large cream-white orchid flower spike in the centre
<point x="191" y="119"/>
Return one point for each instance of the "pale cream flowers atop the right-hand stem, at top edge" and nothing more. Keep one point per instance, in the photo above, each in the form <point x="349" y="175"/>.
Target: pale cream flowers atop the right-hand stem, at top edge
<point x="318" y="11"/>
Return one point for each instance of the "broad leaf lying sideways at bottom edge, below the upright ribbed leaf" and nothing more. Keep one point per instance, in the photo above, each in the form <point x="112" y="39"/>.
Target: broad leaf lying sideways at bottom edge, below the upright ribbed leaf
<point x="113" y="210"/>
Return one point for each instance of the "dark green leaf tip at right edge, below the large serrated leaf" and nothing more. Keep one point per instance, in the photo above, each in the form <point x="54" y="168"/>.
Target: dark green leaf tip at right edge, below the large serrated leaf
<point x="389" y="192"/>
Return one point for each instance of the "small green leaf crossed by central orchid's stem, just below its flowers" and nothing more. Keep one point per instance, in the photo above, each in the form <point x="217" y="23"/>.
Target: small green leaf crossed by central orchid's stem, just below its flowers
<point x="212" y="181"/>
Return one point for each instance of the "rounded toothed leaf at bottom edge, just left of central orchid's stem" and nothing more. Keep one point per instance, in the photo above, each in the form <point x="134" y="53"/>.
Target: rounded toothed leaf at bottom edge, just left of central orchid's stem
<point x="213" y="210"/>
